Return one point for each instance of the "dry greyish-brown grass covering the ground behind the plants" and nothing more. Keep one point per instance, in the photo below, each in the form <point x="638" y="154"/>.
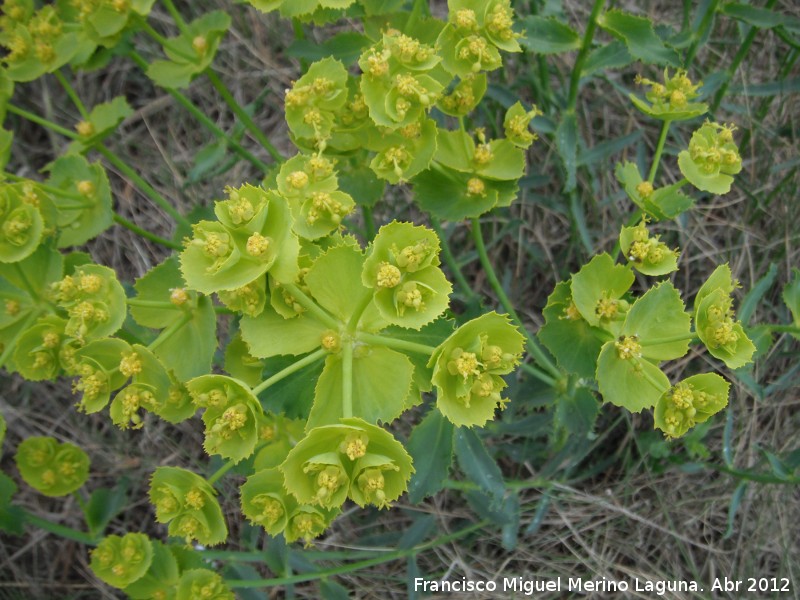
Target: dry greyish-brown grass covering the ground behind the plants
<point x="640" y="516"/>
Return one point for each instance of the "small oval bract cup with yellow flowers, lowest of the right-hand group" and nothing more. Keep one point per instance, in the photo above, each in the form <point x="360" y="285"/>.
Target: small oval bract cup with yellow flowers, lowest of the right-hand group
<point x="689" y="402"/>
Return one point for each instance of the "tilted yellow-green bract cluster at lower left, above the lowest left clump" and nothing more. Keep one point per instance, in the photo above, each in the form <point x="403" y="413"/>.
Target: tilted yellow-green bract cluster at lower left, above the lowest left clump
<point x="187" y="502"/>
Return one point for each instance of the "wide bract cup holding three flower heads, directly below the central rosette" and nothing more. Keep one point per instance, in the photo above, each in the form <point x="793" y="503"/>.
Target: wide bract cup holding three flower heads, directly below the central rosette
<point x="354" y="459"/>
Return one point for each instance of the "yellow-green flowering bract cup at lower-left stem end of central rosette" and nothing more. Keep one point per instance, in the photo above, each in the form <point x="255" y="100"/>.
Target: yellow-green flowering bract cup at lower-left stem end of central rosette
<point x="231" y="415"/>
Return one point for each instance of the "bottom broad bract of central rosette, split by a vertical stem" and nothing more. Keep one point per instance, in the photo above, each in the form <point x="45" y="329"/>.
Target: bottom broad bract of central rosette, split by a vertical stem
<point x="372" y="398"/>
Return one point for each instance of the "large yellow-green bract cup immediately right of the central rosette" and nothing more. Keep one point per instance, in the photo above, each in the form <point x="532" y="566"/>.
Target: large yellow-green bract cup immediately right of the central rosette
<point x="468" y="365"/>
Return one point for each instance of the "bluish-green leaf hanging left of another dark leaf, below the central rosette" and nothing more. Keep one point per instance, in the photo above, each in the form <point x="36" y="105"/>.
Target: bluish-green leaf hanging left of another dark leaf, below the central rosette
<point x="431" y="448"/>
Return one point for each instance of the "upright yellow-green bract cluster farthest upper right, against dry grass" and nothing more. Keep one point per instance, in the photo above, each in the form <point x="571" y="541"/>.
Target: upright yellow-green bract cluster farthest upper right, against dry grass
<point x="712" y="158"/>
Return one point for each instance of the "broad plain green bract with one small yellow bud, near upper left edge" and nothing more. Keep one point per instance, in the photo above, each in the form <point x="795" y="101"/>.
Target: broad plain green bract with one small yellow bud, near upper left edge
<point x="84" y="210"/>
